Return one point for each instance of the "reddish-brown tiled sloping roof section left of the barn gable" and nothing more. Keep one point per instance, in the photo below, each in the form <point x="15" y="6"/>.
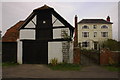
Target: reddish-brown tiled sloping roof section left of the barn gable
<point x="12" y="34"/>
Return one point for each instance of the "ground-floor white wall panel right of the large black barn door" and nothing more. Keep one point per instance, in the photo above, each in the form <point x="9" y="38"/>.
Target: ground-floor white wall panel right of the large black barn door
<point x="55" y="51"/>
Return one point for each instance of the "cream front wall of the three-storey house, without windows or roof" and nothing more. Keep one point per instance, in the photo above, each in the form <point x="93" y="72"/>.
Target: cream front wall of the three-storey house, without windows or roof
<point x="91" y="31"/>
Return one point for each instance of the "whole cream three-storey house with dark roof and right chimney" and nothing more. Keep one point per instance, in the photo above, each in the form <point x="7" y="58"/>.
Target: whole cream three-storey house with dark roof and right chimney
<point x="92" y="32"/>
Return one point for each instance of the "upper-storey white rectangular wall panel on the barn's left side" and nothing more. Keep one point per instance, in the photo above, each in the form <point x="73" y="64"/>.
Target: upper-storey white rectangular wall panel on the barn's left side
<point x="27" y="34"/>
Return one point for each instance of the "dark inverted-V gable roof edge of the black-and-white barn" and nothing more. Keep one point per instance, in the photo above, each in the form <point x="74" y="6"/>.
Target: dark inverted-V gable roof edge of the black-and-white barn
<point x="45" y="7"/>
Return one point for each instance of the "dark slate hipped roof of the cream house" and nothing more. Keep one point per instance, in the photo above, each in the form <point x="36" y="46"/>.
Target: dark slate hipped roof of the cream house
<point x="94" y="21"/>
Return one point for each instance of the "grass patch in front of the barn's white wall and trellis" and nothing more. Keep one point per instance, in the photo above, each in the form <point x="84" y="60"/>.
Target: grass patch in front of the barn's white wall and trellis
<point x="66" y="67"/>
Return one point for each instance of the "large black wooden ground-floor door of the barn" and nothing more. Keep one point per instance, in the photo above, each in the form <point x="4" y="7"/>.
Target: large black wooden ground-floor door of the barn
<point x="35" y="52"/>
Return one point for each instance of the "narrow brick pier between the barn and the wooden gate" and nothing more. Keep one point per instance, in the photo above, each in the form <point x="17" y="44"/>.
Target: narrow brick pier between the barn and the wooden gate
<point x="76" y="55"/>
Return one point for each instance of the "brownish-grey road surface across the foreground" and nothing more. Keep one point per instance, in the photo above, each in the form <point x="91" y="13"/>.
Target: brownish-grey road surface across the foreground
<point x="41" y="71"/>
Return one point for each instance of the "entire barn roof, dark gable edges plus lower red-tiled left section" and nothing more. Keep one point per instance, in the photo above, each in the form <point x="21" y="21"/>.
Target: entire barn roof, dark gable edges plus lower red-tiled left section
<point x="12" y="34"/>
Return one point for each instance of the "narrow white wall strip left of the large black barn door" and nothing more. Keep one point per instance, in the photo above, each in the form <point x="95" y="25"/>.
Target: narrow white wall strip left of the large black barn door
<point x="19" y="52"/>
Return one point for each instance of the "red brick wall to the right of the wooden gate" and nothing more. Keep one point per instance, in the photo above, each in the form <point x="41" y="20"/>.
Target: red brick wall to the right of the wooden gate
<point x="109" y="57"/>
